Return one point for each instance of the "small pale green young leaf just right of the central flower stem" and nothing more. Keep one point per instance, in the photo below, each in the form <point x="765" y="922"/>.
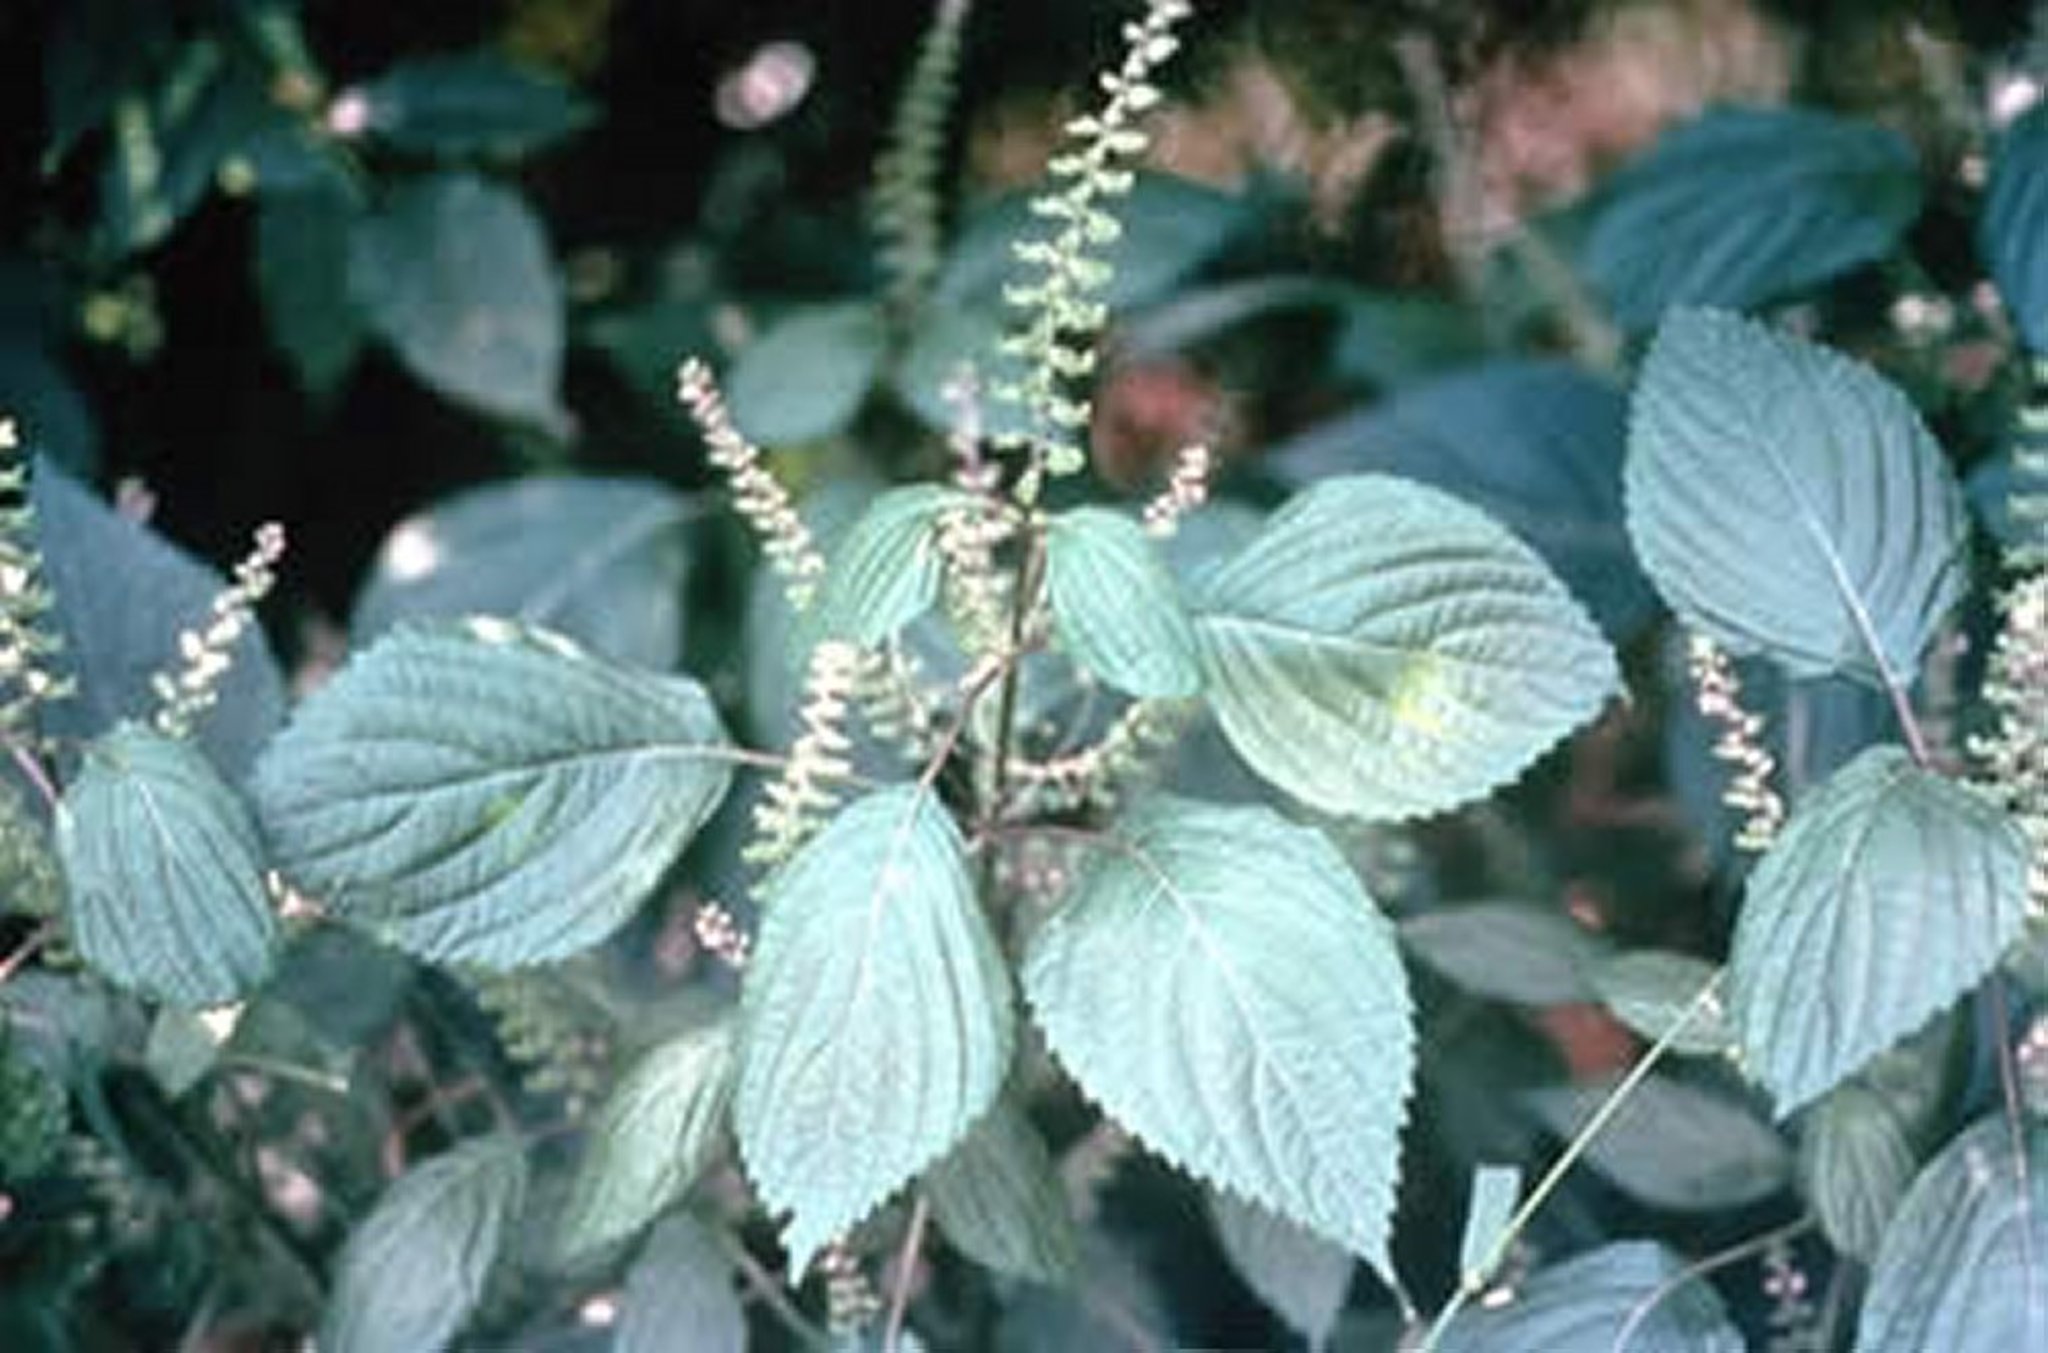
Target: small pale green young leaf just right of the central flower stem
<point x="1115" y="607"/>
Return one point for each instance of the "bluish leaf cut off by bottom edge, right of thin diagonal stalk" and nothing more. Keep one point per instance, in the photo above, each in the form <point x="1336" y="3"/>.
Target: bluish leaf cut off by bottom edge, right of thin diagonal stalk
<point x="1619" y="1297"/>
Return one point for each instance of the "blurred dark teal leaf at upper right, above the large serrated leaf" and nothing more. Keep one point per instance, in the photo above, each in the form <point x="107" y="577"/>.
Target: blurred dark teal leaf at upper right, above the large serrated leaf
<point x="1744" y="206"/>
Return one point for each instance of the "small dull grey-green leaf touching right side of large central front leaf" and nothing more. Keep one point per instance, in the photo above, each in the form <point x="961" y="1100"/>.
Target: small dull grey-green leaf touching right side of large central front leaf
<point x="1508" y="951"/>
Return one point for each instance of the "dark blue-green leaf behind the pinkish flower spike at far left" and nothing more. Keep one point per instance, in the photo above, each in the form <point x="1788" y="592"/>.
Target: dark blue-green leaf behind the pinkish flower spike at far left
<point x="124" y="595"/>
